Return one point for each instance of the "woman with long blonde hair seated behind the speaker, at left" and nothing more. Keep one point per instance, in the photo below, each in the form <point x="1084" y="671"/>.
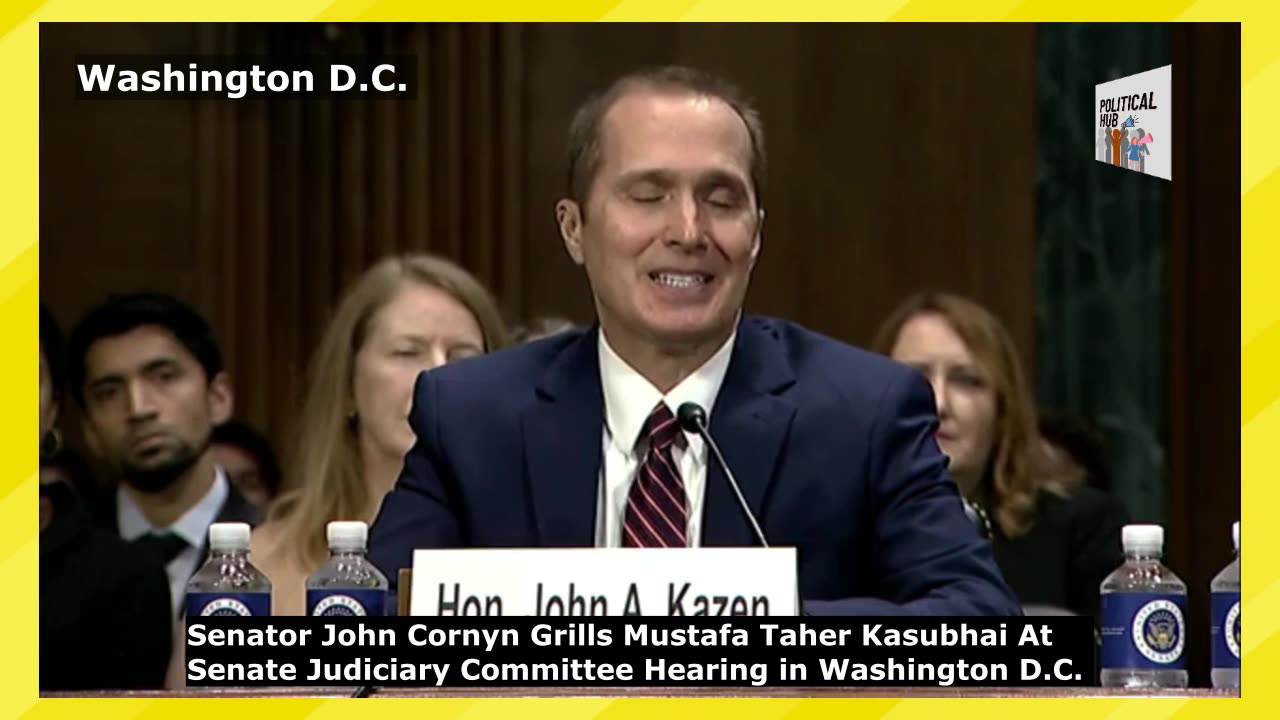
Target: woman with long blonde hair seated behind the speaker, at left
<point x="405" y="316"/>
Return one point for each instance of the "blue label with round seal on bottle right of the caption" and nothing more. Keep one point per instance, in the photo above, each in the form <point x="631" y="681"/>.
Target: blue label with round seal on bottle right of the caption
<point x="1144" y="631"/>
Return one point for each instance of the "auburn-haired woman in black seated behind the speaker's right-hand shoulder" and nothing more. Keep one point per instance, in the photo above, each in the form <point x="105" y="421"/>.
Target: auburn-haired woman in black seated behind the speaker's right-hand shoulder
<point x="1054" y="537"/>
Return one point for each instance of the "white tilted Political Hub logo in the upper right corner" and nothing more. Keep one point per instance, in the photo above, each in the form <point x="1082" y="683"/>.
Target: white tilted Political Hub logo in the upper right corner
<point x="1135" y="119"/>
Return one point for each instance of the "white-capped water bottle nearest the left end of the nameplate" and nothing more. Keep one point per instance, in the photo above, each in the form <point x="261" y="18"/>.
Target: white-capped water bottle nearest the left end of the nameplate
<point x="348" y="584"/>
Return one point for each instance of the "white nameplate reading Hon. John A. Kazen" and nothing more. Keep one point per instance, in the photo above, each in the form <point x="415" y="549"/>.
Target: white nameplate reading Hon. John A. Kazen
<point x="597" y="582"/>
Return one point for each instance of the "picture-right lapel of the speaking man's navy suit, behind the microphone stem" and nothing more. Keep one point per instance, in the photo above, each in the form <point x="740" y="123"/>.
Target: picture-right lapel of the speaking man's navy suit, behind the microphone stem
<point x="751" y="422"/>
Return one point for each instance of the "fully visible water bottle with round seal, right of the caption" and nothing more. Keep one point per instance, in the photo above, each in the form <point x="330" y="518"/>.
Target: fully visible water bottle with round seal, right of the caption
<point x="1144" y="617"/>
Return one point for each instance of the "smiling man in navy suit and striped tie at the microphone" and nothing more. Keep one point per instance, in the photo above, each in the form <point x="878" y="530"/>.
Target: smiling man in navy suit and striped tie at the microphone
<point x="570" y="441"/>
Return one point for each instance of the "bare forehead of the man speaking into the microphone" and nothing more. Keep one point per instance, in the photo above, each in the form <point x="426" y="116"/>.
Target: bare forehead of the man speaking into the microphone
<point x="644" y="122"/>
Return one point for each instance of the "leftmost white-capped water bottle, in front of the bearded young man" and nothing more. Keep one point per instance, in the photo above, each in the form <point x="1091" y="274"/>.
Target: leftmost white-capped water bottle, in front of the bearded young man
<point x="228" y="585"/>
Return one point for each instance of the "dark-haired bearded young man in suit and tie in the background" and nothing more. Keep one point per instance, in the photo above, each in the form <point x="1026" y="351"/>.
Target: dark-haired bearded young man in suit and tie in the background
<point x="148" y="373"/>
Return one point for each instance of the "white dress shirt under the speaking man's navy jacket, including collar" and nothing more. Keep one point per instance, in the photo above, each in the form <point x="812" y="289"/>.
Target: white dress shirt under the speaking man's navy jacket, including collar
<point x="629" y="399"/>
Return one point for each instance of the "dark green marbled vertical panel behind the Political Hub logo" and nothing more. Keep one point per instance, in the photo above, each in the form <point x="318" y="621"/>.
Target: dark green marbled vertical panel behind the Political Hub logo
<point x="1101" y="261"/>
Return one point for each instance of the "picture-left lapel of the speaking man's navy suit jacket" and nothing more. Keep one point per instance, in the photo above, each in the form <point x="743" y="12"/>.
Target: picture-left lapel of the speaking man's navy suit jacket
<point x="563" y="434"/>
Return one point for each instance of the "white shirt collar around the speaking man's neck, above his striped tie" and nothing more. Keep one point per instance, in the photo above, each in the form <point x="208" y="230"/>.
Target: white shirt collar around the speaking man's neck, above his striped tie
<point x="630" y="398"/>
